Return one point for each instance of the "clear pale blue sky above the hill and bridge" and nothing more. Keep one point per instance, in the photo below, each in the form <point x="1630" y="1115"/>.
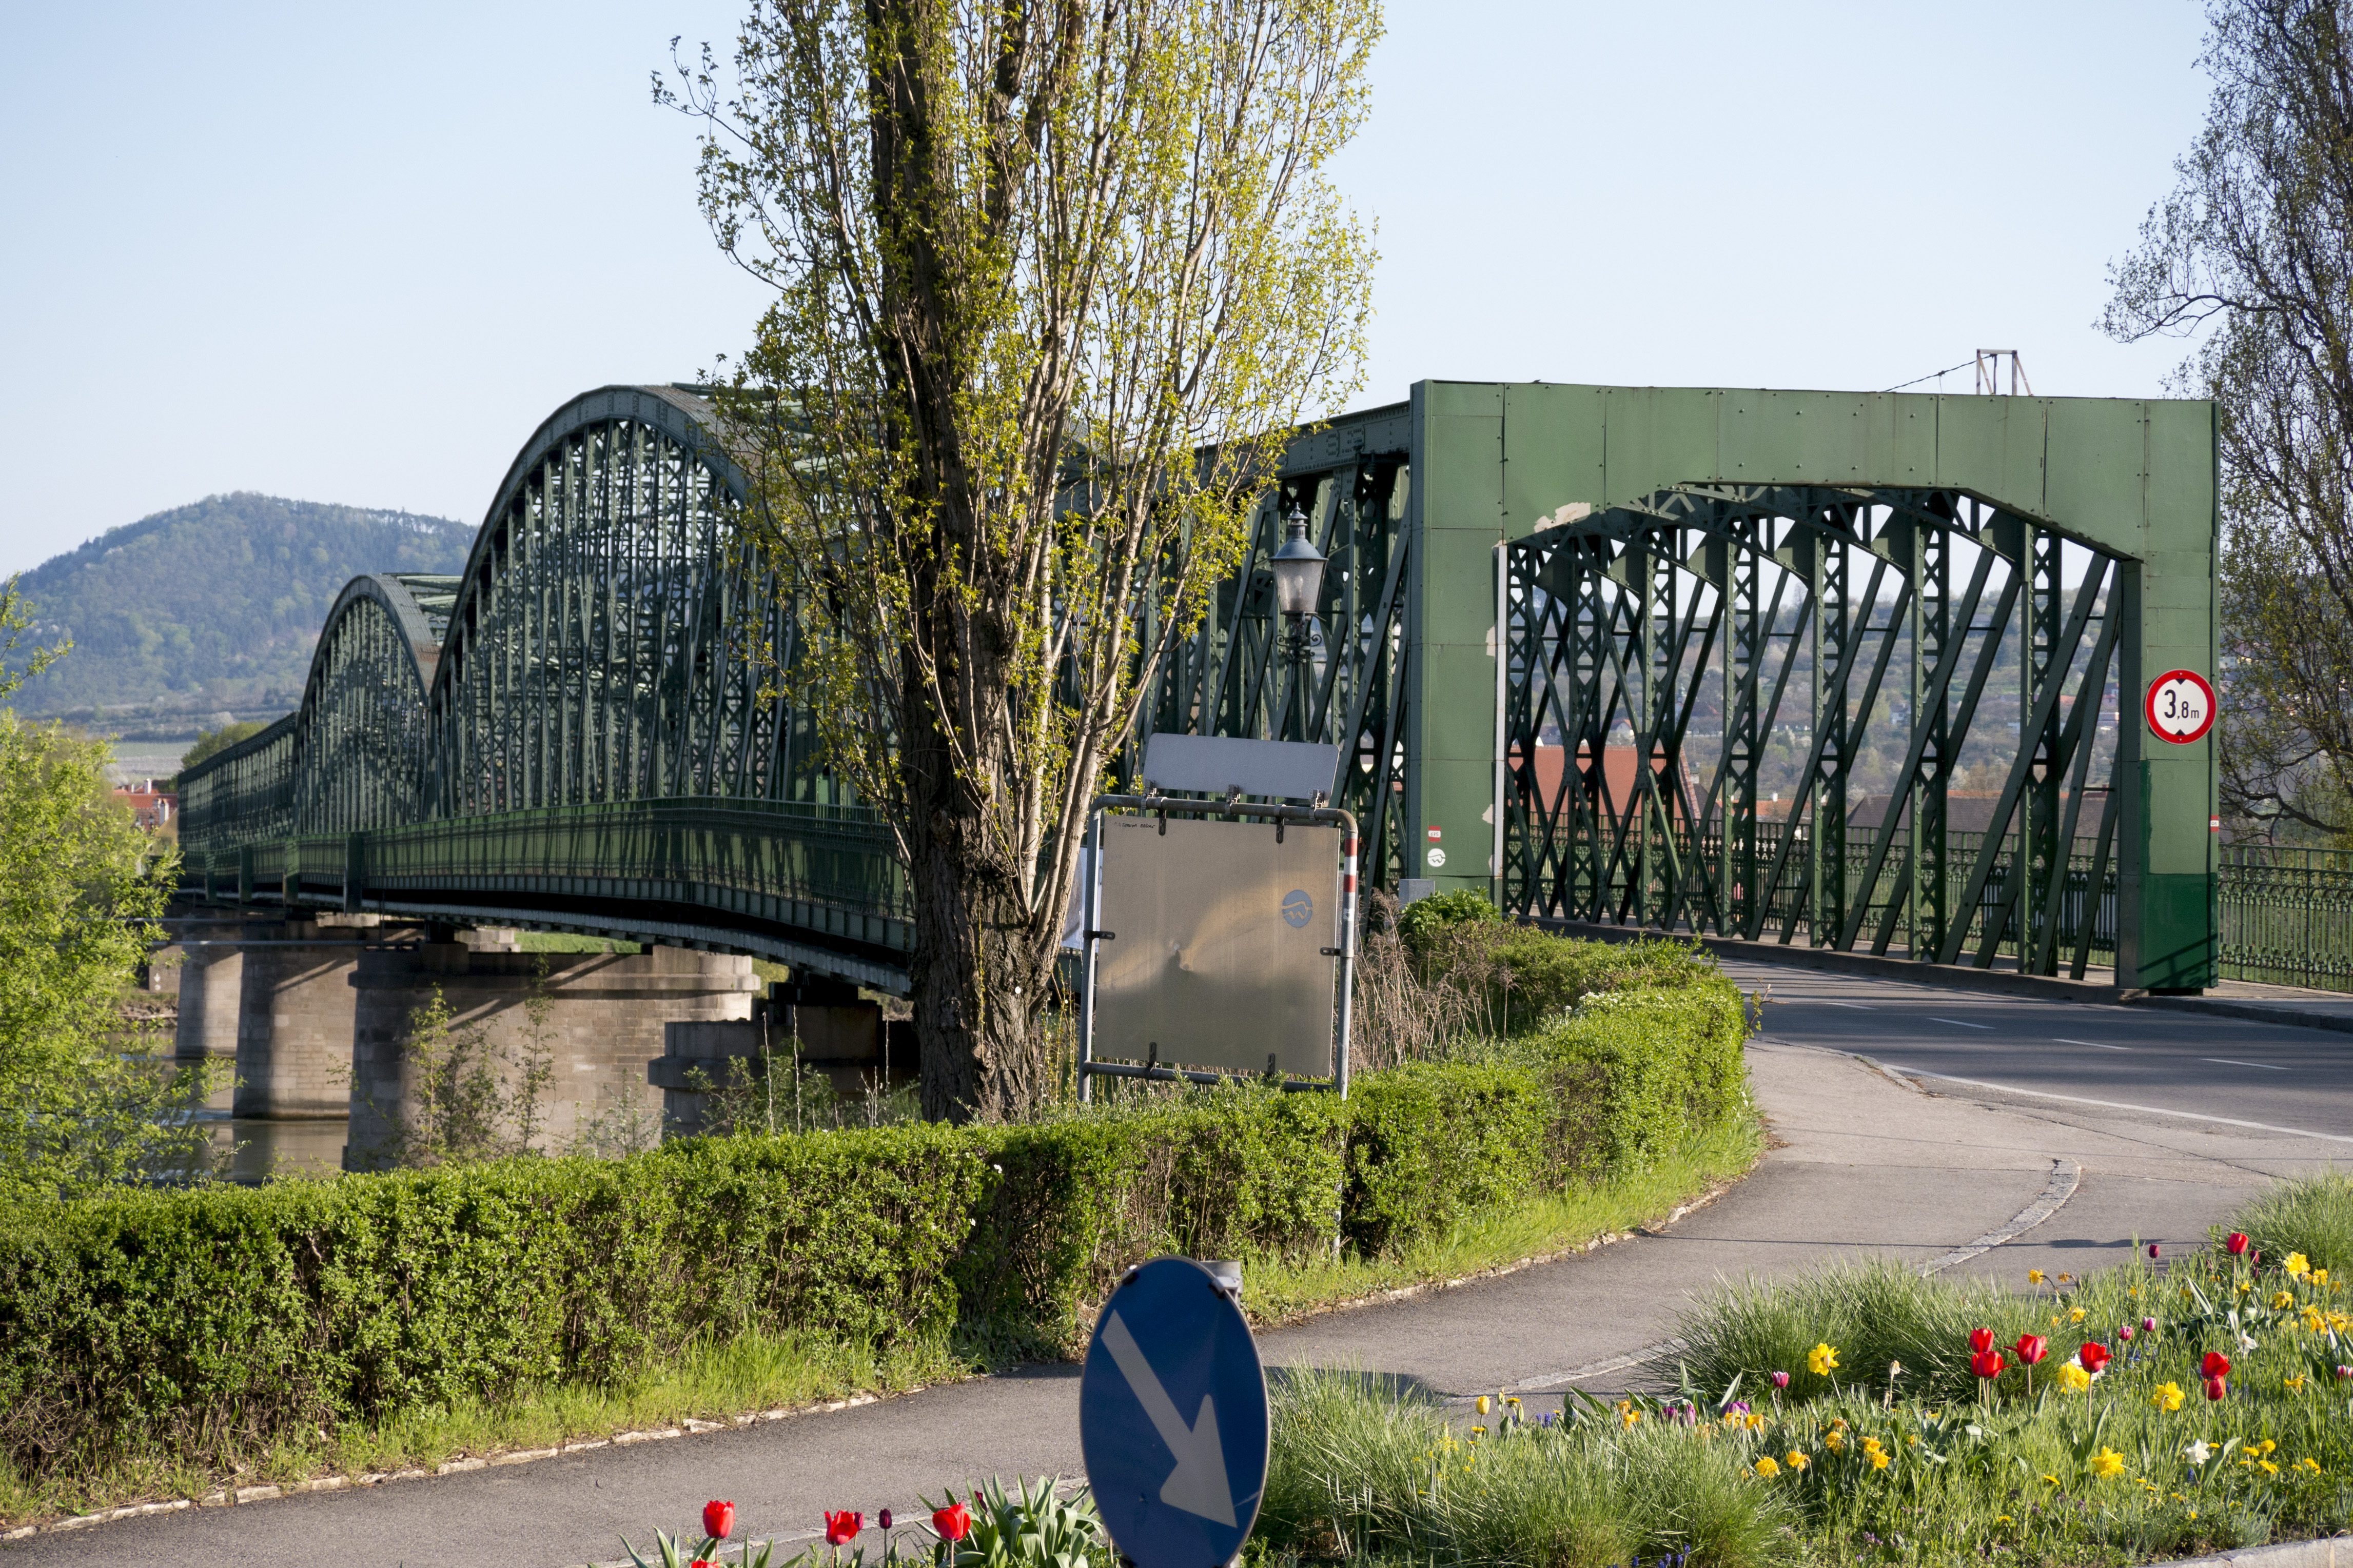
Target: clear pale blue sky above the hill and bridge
<point x="359" y="253"/>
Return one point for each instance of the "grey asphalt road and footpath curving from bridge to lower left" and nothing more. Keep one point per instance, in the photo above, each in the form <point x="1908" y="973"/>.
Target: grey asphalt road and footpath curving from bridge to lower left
<point x="1978" y="1108"/>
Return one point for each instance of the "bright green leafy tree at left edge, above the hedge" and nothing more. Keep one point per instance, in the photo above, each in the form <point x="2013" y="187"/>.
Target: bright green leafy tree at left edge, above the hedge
<point x="81" y="885"/>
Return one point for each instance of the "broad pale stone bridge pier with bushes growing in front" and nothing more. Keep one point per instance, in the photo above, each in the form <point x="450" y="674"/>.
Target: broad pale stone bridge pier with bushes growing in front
<point x="599" y="1024"/>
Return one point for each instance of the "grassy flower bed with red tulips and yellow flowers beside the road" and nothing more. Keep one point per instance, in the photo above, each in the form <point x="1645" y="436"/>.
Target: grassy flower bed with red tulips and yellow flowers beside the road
<point x="2161" y="1409"/>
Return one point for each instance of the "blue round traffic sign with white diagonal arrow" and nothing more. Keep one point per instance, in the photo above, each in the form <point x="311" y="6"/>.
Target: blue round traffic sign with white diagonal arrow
<point x="1173" y="1419"/>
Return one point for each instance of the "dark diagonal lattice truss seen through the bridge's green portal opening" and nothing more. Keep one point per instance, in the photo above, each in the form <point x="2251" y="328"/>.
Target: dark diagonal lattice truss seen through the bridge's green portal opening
<point x="1627" y="617"/>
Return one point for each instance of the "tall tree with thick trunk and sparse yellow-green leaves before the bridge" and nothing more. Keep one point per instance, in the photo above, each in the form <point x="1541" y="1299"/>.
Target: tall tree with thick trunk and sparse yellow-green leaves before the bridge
<point x="1053" y="283"/>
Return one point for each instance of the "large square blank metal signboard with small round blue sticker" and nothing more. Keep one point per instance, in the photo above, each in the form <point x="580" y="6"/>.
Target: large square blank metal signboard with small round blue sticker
<point x="1222" y="944"/>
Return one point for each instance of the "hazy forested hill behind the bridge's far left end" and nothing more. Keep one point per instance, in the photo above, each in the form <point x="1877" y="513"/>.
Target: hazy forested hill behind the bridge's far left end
<point x="213" y="605"/>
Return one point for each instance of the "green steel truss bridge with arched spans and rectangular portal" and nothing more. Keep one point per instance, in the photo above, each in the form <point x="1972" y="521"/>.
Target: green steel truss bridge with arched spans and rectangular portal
<point x="1825" y="669"/>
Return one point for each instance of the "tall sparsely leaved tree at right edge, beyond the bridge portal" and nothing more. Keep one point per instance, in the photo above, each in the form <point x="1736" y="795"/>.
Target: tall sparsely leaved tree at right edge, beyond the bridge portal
<point x="2255" y="250"/>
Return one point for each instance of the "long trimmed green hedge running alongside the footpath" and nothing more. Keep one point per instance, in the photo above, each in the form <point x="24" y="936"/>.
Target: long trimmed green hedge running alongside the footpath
<point x="189" y="1318"/>
